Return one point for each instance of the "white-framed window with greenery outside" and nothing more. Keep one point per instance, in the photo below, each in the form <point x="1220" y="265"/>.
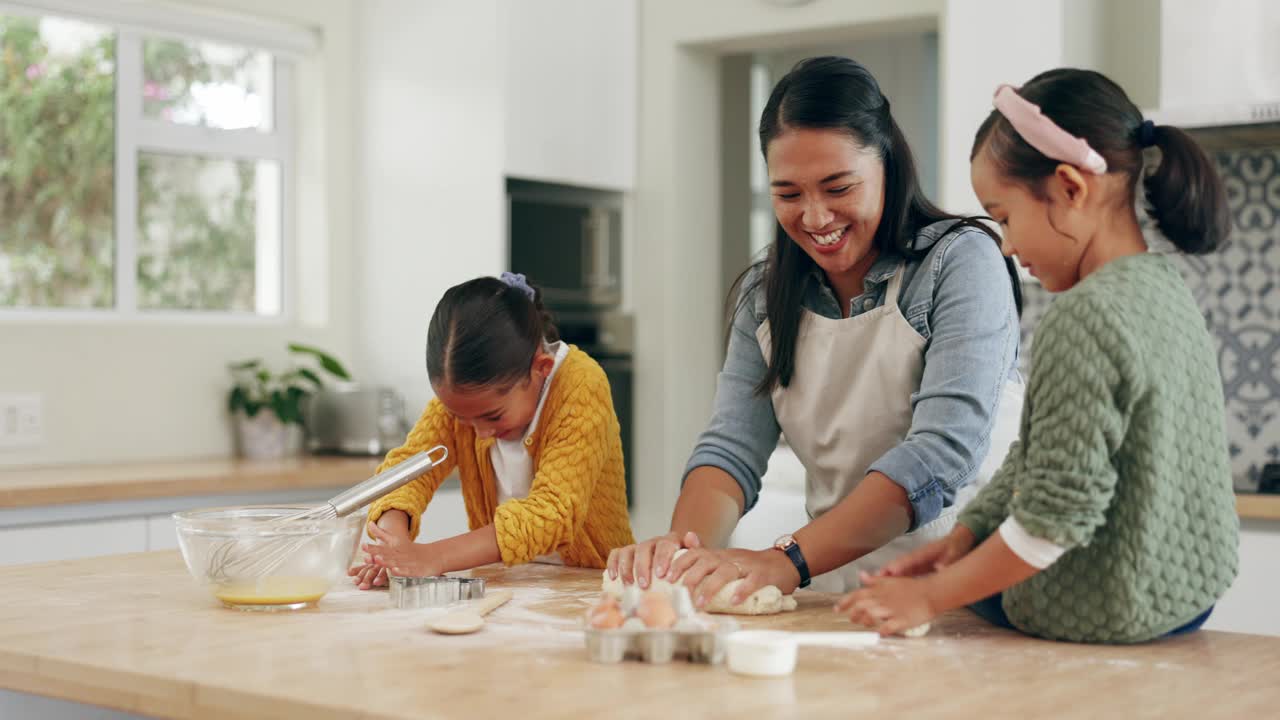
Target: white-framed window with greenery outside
<point x="140" y="172"/>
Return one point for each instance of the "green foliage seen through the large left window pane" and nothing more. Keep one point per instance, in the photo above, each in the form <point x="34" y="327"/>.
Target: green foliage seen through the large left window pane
<point x="57" y="172"/>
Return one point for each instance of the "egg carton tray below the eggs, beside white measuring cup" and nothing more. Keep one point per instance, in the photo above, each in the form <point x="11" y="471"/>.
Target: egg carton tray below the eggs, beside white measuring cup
<point x="657" y="646"/>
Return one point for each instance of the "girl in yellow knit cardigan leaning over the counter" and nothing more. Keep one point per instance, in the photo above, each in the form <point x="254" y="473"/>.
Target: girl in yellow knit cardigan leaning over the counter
<point x="529" y="425"/>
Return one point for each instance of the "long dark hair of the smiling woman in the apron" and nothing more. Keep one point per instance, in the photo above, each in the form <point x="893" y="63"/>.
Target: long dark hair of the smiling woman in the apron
<point x="840" y="94"/>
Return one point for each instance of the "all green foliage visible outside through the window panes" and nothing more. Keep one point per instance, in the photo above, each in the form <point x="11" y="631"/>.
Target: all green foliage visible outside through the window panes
<point x="196" y="217"/>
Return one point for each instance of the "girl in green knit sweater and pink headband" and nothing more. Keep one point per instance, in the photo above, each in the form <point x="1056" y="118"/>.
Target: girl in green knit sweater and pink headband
<point x="1113" y="520"/>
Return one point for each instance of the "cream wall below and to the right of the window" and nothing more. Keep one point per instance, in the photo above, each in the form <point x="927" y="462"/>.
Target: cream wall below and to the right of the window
<point x="148" y="390"/>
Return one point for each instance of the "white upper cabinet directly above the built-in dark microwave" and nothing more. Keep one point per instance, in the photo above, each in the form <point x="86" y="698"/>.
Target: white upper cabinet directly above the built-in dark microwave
<point x="572" y="92"/>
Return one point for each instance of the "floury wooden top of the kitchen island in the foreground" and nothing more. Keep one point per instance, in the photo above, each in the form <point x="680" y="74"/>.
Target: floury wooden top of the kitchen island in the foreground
<point x="135" y="634"/>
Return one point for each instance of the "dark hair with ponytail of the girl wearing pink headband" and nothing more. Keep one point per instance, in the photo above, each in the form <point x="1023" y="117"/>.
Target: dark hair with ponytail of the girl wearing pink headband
<point x="1185" y="194"/>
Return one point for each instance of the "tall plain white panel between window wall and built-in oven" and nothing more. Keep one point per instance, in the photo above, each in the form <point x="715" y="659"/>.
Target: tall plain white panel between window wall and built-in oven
<point x="431" y="200"/>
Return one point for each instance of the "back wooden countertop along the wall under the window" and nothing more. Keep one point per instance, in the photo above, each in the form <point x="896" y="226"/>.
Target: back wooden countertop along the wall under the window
<point x="135" y="481"/>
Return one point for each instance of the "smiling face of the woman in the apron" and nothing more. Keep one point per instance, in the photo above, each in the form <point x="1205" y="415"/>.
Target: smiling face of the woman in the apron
<point x="829" y="195"/>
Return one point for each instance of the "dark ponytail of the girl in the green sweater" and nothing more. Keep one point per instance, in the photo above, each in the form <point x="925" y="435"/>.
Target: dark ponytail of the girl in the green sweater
<point x="1186" y="197"/>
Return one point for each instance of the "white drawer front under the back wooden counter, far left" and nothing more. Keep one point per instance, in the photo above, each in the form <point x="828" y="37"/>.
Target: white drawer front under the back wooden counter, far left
<point x="68" y="541"/>
